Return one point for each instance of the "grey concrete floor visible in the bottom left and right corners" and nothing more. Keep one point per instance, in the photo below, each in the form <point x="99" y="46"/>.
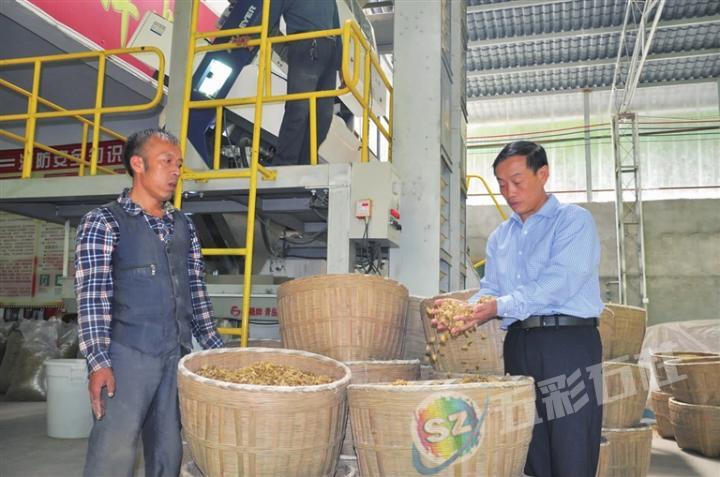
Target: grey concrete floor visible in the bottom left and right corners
<point x="26" y="451"/>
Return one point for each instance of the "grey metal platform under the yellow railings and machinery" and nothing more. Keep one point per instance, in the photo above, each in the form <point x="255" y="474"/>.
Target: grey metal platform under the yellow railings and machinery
<point x="286" y="201"/>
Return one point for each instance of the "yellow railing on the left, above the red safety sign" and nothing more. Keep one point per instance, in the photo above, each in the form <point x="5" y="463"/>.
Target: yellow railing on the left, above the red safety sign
<point x="32" y="115"/>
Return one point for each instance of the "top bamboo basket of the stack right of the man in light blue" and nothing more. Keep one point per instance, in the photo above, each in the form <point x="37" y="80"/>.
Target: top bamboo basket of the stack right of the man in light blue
<point x="629" y="323"/>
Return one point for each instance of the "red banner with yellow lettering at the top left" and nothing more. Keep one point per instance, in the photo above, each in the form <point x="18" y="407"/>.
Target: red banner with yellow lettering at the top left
<point x="111" y="23"/>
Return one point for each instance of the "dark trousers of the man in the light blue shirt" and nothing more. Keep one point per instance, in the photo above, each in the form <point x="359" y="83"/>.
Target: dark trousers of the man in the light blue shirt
<point x="566" y="364"/>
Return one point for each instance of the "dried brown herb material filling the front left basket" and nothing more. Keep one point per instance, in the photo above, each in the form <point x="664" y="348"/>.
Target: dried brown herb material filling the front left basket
<point x="264" y="374"/>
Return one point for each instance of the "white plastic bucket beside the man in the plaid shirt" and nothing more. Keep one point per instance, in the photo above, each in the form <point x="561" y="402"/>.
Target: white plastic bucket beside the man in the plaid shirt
<point x="69" y="413"/>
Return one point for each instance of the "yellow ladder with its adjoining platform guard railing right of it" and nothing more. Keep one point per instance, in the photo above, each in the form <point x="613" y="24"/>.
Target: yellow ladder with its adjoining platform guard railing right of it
<point x="351" y="34"/>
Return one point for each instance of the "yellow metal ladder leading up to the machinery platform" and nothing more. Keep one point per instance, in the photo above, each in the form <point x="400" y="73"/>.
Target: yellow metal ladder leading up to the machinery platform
<point x="255" y="168"/>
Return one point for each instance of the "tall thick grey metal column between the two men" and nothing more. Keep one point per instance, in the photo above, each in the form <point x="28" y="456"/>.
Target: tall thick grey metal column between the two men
<point x="423" y="153"/>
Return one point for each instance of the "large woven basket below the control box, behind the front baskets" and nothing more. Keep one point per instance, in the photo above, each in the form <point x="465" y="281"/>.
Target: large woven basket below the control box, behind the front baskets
<point x="346" y="317"/>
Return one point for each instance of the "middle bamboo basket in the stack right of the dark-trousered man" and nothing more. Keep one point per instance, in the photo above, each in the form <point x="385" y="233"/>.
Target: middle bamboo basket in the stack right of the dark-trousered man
<point x="625" y="391"/>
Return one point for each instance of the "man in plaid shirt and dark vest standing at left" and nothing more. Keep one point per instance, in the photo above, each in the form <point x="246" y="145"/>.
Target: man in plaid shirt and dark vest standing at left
<point x="141" y="295"/>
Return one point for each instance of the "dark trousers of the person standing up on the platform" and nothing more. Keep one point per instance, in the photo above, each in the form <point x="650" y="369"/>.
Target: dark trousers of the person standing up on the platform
<point x="312" y="66"/>
